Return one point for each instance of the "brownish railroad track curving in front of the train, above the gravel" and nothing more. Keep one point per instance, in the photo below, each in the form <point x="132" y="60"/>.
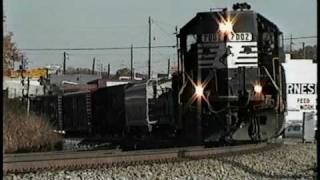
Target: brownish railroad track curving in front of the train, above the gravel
<point x="31" y="162"/>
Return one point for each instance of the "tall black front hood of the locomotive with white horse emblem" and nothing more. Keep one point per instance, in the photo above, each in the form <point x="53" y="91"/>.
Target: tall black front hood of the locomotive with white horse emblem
<point x="221" y="56"/>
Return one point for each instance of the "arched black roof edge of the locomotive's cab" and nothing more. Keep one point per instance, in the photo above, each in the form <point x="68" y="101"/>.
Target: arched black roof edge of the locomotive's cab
<point x="206" y="15"/>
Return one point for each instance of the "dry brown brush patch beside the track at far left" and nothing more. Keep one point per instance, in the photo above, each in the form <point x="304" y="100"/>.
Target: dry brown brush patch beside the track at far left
<point x="22" y="133"/>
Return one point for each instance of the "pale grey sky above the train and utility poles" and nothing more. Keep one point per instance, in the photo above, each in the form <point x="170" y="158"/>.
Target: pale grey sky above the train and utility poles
<point x="120" y="23"/>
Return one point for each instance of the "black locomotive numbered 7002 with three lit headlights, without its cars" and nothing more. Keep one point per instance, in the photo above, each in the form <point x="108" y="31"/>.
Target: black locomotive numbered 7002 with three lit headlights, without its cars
<point x="231" y="82"/>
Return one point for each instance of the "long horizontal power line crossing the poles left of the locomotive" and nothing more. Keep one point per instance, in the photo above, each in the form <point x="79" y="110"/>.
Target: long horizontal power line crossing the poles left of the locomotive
<point x="94" y="49"/>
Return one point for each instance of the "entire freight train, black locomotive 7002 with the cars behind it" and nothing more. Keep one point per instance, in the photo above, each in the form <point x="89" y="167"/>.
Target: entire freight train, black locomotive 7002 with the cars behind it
<point x="230" y="86"/>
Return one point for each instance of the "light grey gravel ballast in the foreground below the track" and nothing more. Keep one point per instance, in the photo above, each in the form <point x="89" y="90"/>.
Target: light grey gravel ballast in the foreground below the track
<point x="291" y="161"/>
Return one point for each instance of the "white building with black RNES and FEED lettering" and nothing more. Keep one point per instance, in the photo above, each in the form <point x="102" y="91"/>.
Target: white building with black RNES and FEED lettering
<point x="301" y="79"/>
